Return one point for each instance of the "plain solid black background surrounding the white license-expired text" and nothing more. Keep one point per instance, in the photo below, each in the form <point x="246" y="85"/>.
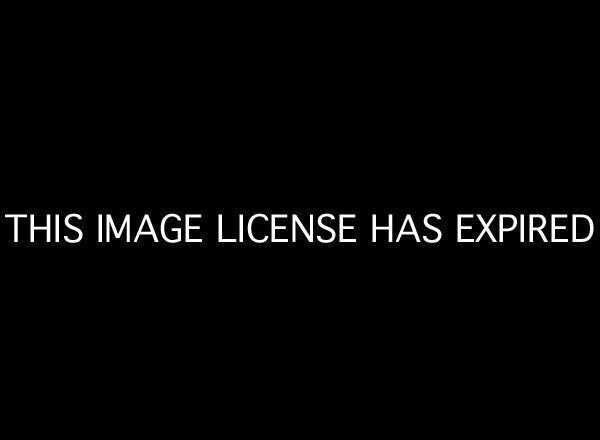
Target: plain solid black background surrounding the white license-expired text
<point x="381" y="113"/>
